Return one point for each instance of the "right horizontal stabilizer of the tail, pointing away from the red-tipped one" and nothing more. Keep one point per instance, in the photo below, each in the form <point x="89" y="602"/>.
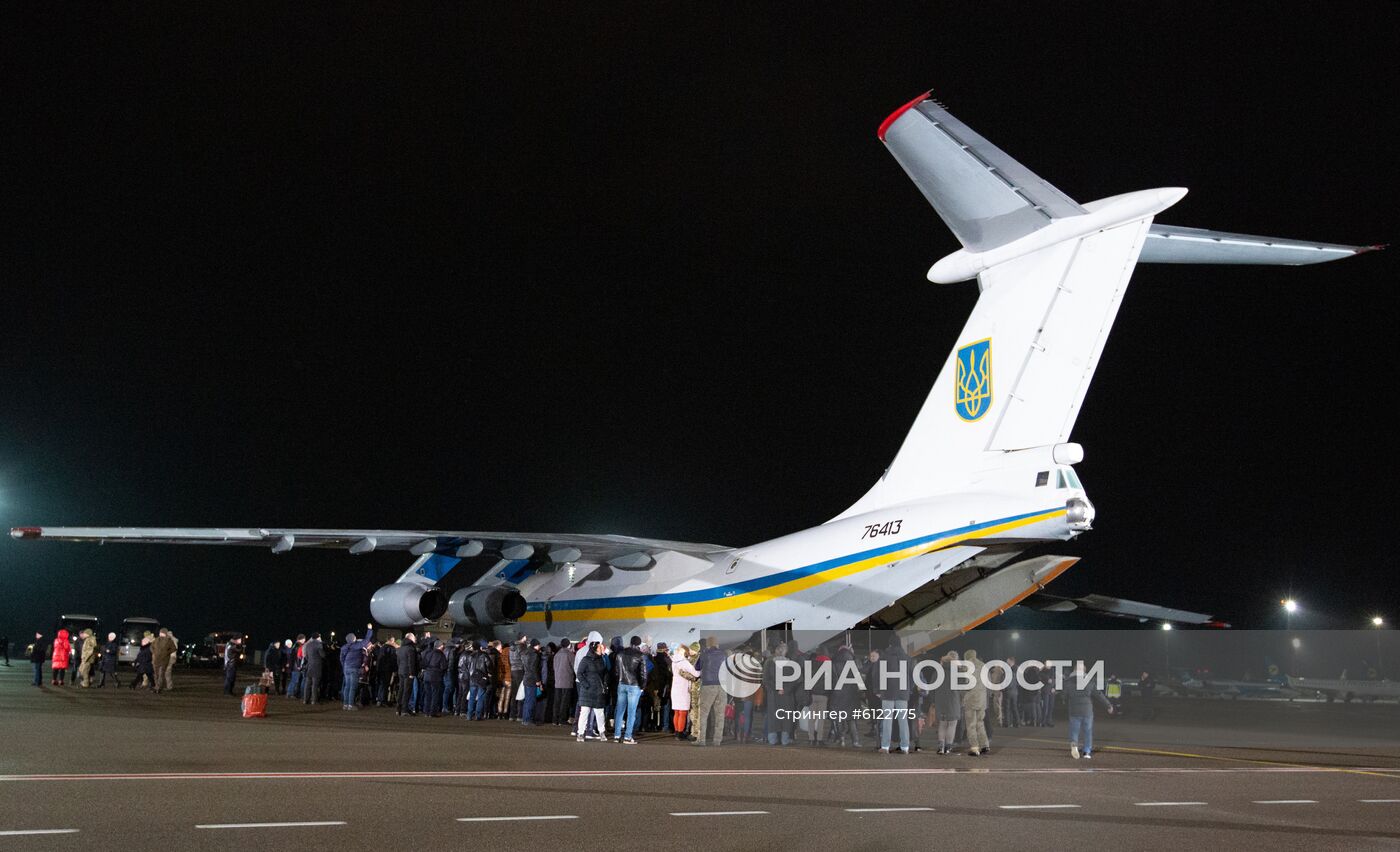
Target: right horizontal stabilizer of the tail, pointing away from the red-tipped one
<point x="1168" y="244"/>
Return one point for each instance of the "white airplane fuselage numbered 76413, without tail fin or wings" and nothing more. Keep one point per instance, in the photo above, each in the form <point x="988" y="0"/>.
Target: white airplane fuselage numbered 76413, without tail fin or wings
<point x="824" y="578"/>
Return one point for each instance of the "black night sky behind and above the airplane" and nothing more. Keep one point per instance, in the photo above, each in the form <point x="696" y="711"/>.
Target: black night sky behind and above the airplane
<point x="645" y="269"/>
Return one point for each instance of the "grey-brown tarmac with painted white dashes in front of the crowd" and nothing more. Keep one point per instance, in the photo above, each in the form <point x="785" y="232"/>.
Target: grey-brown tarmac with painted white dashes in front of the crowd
<point x="120" y="770"/>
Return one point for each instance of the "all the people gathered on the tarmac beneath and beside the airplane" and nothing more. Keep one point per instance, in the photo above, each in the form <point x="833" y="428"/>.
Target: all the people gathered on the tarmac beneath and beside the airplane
<point x="591" y="688"/>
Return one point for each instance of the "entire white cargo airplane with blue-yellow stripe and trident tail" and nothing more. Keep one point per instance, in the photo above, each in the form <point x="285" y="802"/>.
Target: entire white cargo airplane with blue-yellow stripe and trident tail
<point x="985" y="475"/>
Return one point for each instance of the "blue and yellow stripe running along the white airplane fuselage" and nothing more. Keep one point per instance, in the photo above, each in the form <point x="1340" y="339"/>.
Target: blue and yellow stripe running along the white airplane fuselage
<point x="705" y="602"/>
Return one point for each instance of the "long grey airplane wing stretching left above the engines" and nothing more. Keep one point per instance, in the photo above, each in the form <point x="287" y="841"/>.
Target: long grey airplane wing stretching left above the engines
<point x="621" y="552"/>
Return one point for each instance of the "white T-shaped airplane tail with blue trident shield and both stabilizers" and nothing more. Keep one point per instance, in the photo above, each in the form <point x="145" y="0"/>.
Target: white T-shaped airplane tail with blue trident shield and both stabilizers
<point x="1052" y="275"/>
